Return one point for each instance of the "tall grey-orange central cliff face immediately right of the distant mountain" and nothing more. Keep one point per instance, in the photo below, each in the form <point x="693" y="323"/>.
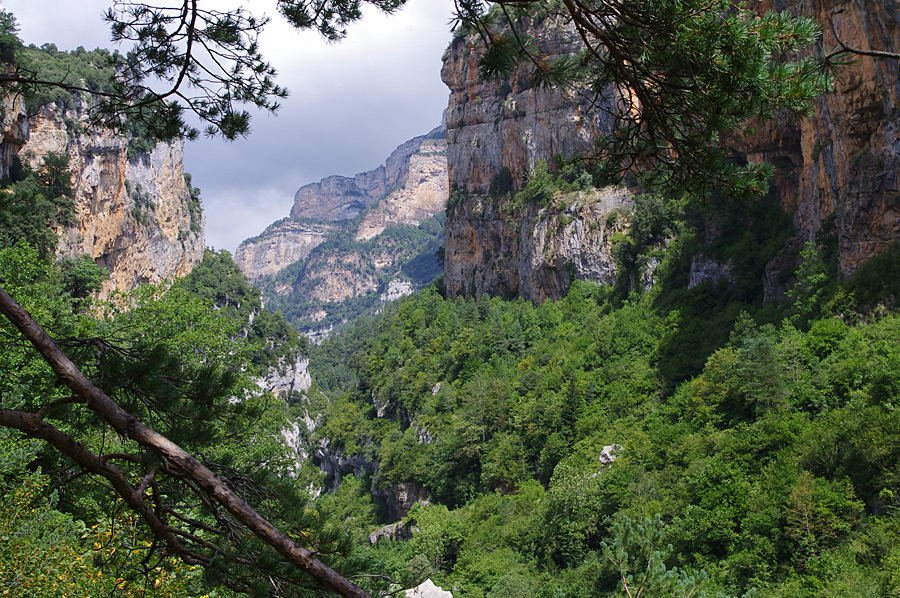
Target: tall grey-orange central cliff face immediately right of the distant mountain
<point x="533" y="251"/>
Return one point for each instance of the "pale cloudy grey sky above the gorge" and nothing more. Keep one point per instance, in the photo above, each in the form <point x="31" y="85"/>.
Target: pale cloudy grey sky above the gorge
<point x="351" y="103"/>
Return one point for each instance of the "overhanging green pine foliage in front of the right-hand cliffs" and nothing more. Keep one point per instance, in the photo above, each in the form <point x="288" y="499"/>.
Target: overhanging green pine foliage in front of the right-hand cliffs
<point x="673" y="76"/>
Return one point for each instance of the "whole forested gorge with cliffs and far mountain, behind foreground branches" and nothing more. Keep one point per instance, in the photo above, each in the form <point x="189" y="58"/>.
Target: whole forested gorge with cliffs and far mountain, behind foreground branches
<point x="593" y="370"/>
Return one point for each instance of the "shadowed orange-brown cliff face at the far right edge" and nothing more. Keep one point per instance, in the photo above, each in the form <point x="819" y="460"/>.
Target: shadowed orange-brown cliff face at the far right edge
<point x="840" y="169"/>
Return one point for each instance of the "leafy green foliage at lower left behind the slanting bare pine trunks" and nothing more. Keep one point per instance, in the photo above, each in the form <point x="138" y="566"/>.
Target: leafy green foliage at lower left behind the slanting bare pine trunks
<point x="168" y="358"/>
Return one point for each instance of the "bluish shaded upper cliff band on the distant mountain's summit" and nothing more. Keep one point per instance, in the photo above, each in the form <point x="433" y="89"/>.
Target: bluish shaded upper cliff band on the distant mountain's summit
<point x="341" y="198"/>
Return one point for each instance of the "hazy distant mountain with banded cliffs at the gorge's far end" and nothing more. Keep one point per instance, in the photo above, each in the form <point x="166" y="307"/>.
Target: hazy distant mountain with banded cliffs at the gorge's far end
<point x="322" y="266"/>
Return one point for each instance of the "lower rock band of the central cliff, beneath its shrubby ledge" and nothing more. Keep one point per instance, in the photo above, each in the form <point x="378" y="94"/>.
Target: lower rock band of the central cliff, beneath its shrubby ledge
<point x="535" y="252"/>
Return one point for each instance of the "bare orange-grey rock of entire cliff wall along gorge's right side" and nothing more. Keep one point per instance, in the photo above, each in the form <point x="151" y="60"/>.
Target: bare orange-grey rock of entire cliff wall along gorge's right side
<point x="838" y="172"/>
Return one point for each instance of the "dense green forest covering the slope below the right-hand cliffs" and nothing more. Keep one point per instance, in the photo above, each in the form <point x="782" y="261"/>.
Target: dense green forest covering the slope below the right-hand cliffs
<point x="501" y="409"/>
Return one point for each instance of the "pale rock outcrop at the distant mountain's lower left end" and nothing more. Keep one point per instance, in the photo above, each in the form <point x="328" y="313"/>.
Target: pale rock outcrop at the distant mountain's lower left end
<point x="279" y="246"/>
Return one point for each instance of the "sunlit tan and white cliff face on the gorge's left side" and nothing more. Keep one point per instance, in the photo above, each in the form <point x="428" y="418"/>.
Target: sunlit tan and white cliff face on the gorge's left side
<point x="136" y="217"/>
